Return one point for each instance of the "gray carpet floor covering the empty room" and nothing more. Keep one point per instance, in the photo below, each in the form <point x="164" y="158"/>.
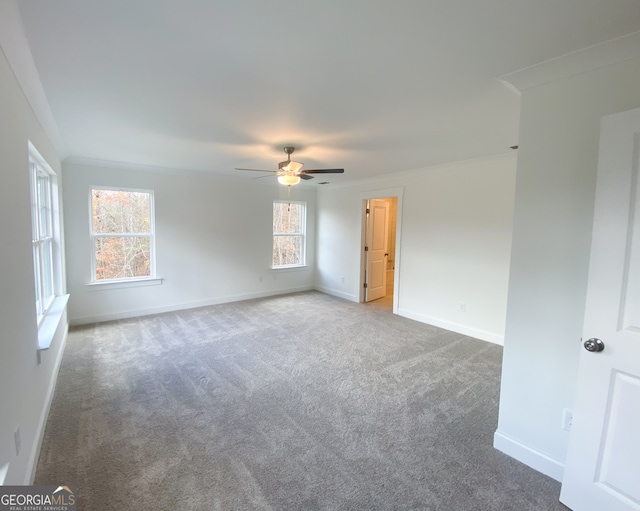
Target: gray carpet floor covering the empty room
<point x="296" y="402"/>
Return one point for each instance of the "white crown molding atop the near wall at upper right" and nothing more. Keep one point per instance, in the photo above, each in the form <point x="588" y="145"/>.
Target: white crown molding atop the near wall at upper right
<point x="580" y="61"/>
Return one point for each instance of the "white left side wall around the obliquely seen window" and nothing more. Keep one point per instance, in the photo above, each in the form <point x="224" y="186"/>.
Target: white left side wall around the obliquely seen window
<point x="25" y="384"/>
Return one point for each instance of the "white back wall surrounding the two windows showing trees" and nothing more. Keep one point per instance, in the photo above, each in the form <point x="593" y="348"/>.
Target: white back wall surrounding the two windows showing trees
<point x="213" y="242"/>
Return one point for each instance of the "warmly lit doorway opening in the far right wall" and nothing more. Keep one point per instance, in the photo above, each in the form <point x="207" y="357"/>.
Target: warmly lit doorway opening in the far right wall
<point x="379" y="261"/>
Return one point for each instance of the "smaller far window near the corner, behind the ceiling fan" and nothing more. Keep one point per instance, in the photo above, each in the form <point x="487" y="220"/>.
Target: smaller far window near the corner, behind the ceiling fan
<point x="289" y="220"/>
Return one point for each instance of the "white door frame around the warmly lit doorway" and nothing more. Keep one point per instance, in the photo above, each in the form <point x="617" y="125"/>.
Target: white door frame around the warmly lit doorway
<point x="385" y="193"/>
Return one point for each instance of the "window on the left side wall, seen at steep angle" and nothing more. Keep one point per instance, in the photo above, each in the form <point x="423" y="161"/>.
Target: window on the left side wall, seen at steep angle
<point x="42" y="232"/>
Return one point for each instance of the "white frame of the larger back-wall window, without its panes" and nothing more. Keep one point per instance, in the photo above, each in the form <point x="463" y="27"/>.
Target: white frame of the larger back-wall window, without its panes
<point x="105" y="283"/>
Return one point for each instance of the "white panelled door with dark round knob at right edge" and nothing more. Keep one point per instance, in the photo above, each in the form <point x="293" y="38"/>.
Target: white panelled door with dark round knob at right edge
<point x="602" y="472"/>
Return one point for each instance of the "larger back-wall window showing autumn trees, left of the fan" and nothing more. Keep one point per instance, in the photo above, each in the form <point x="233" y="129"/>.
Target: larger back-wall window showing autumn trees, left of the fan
<point x="122" y="229"/>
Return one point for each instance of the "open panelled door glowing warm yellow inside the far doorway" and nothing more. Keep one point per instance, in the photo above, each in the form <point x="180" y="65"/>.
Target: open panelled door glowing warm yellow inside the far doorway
<point x="377" y="237"/>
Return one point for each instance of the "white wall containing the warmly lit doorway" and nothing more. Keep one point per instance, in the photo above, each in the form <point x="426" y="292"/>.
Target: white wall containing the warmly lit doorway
<point x="455" y="243"/>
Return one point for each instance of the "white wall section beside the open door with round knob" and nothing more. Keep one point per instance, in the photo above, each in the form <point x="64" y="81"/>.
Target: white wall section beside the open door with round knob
<point x="555" y="187"/>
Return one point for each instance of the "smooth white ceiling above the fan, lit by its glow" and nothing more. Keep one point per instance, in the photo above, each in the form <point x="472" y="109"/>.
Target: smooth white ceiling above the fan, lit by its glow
<point x="372" y="86"/>
